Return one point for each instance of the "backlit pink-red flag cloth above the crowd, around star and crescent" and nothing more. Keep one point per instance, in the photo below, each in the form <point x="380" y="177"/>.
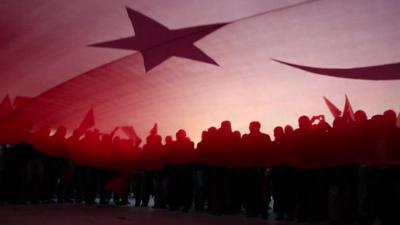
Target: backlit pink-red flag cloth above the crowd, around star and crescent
<point x="45" y="54"/>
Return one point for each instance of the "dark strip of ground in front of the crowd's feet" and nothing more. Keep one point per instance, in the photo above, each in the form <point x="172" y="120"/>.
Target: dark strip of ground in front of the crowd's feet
<point x="69" y="214"/>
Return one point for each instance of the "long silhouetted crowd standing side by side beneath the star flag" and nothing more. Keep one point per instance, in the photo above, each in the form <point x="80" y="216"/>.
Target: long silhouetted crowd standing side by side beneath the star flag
<point x="346" y="173"/>
